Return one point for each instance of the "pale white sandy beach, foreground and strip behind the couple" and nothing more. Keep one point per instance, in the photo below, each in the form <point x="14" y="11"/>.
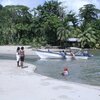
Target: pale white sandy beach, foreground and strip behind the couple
<point x="23" y="84"/>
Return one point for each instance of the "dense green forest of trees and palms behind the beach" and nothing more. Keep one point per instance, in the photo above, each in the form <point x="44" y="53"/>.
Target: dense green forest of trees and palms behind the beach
<point x="49" y="24"/>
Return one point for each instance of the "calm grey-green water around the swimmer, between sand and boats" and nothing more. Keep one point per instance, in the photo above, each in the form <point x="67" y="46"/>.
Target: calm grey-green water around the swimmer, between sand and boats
<point x="82" y="71"/>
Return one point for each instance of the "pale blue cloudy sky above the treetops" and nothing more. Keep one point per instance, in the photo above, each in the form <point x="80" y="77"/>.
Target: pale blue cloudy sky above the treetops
<point x="70" y="4"/>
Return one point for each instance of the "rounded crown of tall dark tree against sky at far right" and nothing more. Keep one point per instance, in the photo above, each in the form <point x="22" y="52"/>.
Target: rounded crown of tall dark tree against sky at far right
<point x="88" y="13"/>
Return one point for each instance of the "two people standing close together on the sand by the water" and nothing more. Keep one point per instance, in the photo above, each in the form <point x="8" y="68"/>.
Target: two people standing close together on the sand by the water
<point x="20" y="55"/>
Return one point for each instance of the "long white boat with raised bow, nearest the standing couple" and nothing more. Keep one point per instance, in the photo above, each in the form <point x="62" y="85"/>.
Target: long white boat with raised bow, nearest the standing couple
<point x="48" y="54"/>
